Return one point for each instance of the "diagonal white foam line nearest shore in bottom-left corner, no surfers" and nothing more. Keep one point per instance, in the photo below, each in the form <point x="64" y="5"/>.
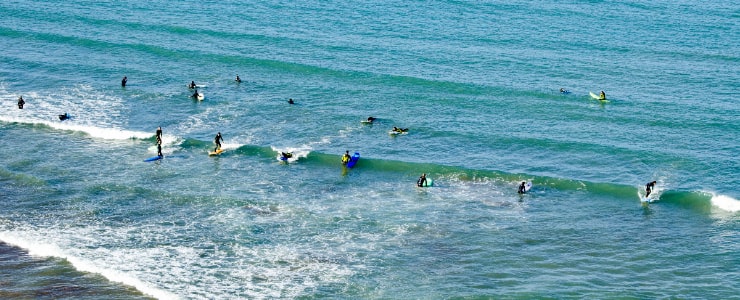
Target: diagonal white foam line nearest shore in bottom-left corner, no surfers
<point x="49" y="250"/>
